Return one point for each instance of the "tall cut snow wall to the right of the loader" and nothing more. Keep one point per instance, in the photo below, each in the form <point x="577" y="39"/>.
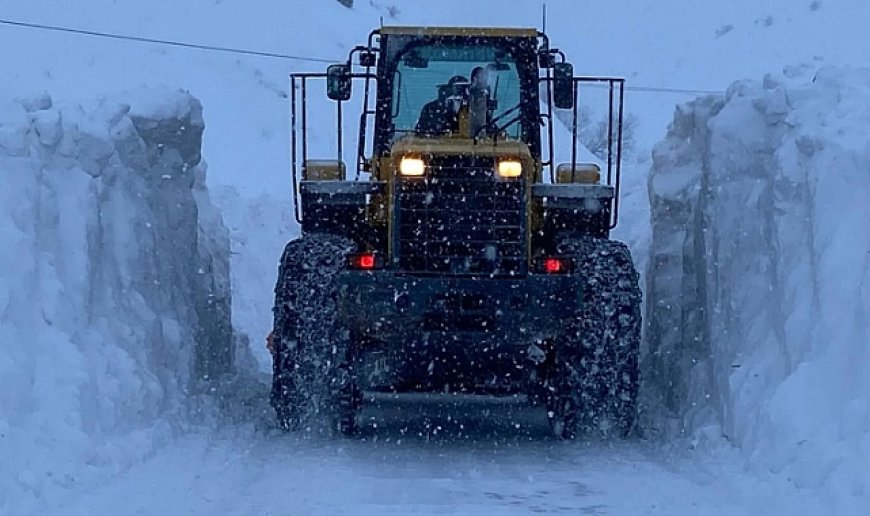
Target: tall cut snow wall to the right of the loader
<point x="759" y="279"/>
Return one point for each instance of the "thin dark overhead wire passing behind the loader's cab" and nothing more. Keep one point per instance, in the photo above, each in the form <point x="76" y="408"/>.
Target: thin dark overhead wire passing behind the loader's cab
<point x="261" y="53"/>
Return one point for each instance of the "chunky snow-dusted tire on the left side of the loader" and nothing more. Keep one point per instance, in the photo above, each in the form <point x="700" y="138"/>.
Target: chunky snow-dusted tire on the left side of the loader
<point x="312" y="382"/>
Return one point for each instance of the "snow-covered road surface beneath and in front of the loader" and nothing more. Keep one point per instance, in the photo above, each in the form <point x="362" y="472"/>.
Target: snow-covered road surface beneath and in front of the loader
<point x="400" y="468"/>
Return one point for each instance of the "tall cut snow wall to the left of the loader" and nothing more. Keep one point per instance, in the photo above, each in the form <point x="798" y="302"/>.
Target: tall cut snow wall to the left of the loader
<point x="114" y="287"/>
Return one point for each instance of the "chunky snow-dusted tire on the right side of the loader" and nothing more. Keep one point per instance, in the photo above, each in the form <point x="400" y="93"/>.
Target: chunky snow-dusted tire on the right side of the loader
<point x="595" y="370"/>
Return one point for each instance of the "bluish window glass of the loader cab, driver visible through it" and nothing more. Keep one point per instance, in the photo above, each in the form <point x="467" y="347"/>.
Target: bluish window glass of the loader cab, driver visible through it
<point x="433" y="82"/>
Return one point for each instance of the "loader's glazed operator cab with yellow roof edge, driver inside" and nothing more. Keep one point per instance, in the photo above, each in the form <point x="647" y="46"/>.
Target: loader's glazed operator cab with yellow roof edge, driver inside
<point x="486" y="79"/>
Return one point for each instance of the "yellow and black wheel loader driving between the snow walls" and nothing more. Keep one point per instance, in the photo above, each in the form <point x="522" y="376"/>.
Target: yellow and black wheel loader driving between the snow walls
<point x="466" y="250"/>
